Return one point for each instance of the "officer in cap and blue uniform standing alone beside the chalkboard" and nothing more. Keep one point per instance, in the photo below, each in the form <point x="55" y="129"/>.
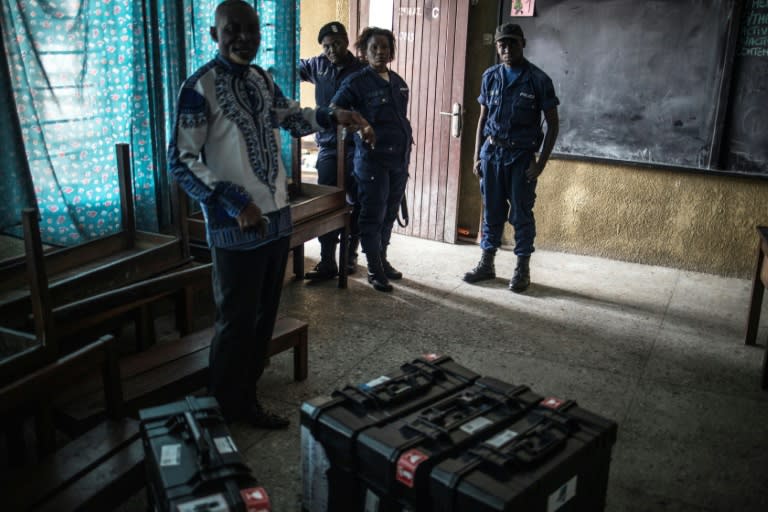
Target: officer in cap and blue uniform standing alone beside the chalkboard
<point x="512" y="97"/>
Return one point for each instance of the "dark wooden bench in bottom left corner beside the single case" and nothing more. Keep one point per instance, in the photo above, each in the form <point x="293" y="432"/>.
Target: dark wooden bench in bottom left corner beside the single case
<point x="92" y="472"/>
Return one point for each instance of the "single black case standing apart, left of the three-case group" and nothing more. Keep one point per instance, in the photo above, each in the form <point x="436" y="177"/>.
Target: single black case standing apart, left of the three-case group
<point x="192" y="462"/>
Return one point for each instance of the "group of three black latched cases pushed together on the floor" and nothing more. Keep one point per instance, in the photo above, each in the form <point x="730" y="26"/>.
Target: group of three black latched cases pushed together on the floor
<point x="476" y="445"/>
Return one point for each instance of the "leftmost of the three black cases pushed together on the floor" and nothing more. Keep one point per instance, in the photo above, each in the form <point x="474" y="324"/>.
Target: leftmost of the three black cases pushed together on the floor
<point x="330" y="425"/>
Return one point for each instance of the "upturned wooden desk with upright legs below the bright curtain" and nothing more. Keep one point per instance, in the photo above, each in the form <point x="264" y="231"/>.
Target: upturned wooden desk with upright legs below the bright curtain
<point x="37" y="284"/>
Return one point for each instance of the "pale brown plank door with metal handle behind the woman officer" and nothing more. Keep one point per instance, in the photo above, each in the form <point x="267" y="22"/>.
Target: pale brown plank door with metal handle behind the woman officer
<point x="431" y="45"/>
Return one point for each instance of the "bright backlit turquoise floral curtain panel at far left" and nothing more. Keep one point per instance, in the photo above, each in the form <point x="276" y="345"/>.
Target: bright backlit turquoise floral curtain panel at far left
<point x="80" y="87"/>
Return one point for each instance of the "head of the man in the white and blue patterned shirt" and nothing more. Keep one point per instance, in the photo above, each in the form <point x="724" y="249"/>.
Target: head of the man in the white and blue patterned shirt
<point x="237" y="33"/>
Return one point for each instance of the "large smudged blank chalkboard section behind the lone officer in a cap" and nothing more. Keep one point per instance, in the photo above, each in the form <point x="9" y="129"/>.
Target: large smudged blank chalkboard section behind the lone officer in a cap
<point x="638" y="80"/>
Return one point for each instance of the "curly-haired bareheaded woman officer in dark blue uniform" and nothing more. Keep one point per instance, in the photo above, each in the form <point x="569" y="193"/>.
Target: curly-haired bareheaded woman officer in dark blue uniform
<point x="381" y="96"/>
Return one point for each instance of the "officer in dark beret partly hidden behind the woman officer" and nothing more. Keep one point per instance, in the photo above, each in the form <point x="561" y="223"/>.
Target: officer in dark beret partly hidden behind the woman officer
<point x="327" y="71"/>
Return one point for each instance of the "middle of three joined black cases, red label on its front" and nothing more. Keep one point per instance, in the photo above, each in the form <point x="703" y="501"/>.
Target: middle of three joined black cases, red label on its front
<point x="395" y="459"/>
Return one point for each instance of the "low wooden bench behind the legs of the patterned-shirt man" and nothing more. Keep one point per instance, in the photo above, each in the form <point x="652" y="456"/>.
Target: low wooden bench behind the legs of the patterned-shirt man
<point x="168" y="372"/>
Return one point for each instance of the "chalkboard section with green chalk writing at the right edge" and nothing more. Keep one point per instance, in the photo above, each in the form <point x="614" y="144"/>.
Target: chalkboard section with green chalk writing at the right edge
<point x="746" y="143"/>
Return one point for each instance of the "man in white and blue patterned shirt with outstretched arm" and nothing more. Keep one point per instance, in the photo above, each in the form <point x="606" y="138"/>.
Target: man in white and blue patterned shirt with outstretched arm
<point x="224" y="152"/>
